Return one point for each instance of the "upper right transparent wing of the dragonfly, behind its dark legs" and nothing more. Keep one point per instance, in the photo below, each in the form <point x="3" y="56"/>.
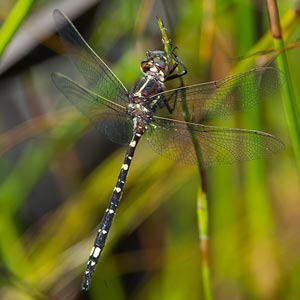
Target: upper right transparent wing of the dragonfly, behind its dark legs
<point x="221" y="98"/>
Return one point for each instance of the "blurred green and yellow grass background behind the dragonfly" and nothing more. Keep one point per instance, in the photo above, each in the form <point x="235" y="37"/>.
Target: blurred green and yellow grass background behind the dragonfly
<point x="57" y="173"/>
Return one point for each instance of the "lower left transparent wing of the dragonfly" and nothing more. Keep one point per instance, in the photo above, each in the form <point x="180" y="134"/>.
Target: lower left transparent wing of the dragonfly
<point x="111" y="118"/>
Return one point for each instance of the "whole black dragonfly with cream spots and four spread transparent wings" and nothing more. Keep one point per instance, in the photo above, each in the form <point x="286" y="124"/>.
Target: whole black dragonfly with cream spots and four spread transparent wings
<point x="158" y="114"/>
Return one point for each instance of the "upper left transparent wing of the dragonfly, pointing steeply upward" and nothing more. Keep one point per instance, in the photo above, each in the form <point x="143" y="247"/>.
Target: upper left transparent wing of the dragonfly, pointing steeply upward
<point x="98" y="76"/>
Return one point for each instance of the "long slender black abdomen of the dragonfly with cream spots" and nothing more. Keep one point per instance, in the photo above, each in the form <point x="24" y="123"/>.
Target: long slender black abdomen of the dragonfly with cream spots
<point x="109" y="215"/>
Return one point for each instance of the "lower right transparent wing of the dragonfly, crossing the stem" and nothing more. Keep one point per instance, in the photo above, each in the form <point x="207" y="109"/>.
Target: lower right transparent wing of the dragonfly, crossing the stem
<point x="217" y="145"/>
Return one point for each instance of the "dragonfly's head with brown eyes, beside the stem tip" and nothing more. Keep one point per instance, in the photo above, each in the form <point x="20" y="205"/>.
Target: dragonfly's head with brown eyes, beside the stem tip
<point x="156" y="62"/>
